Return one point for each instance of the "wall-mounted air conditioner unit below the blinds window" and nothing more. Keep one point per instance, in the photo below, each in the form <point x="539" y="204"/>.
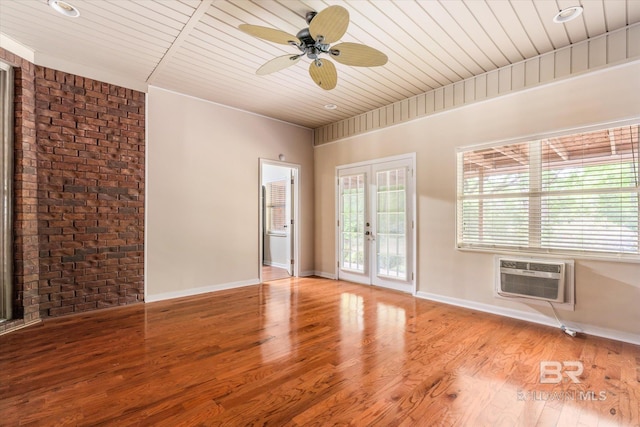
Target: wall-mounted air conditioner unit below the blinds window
<point x="542" y="280"/>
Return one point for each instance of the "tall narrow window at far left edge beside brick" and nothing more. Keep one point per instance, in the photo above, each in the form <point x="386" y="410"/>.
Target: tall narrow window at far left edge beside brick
<point x="6" y="176"/>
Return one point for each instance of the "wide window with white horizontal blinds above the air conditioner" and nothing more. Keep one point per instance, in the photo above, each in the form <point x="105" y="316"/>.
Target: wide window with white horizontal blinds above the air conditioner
<point x="570" y="194"/>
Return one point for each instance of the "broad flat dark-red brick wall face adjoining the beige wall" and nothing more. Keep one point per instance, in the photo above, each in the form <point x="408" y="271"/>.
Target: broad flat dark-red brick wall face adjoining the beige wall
<point x="90" y="138"/>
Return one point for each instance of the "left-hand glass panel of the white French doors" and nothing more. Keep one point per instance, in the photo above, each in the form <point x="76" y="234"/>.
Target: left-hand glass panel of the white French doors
<point x="352" y="220"/>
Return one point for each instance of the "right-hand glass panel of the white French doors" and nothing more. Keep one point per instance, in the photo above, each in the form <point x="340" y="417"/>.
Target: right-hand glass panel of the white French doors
<point x="391" y="215"/>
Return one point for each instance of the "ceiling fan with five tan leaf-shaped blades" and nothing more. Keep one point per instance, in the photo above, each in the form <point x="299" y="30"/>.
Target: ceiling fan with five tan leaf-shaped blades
<point x="325" y="27"/>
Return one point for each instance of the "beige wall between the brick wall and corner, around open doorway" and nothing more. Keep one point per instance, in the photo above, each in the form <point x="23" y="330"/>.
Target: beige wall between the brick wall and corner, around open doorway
<point x="202" y="222"/>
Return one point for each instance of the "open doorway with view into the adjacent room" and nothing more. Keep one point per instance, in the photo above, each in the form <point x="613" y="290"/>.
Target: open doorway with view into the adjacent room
<point x="278" y="220"/>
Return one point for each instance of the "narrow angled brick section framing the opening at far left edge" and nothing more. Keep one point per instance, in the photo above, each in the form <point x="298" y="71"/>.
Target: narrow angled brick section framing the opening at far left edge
<point x="25" y="202"/>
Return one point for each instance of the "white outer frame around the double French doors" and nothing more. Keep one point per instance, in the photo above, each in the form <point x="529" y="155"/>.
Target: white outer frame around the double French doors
<point x="413" y="232"/>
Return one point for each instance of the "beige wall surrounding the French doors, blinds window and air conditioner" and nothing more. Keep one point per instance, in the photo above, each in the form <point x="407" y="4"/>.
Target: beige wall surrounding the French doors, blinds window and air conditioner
<point x="607" y="293"/>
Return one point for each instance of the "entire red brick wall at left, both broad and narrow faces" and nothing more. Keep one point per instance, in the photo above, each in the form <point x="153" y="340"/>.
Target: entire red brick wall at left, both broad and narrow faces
<point x="78" y="193"/>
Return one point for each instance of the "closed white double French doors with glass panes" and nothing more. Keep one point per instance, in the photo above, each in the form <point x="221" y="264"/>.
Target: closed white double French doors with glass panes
<point x="375" y="234"/>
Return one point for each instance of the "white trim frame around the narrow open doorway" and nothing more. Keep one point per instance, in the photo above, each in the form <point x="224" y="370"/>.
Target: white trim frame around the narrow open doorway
<point x="295" y="215"/>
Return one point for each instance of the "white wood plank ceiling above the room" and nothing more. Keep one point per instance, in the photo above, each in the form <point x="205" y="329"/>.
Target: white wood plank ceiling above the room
<point x="194" y="47"/>
